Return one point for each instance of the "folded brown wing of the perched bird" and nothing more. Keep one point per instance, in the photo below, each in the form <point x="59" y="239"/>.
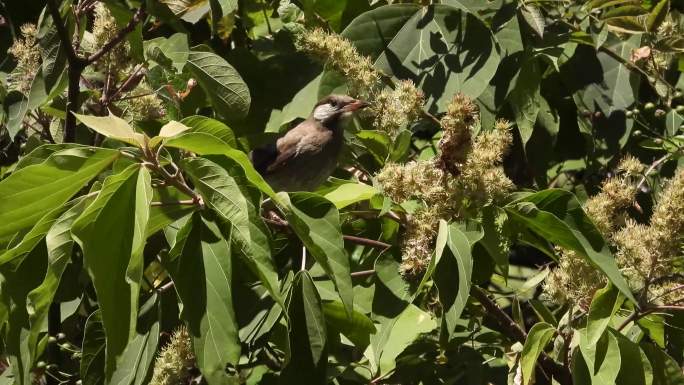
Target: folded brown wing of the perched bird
<point x="306" y="138"/>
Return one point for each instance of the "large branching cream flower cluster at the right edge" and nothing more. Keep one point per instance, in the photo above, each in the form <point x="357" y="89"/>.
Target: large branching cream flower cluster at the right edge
<point x="647" y="255"/>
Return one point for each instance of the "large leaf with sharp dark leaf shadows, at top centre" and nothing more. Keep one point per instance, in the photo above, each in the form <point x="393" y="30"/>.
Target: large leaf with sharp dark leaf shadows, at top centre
<point x="445" y="50"/>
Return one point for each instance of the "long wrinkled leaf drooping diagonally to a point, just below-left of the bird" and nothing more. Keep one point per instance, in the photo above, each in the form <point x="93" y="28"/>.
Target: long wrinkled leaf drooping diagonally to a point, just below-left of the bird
<point x="238" y="206"/>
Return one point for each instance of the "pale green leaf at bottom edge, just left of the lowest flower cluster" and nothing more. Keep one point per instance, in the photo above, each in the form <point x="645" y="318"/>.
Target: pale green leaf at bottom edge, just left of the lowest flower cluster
<point x="134" y="365"/>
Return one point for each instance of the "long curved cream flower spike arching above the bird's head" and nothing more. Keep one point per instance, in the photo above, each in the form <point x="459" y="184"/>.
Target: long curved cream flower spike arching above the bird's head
<point x="342" y="56"/>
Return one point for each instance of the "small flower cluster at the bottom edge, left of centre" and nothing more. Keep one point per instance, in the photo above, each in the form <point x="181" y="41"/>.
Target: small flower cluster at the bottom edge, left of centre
<point x="172" y="366"/>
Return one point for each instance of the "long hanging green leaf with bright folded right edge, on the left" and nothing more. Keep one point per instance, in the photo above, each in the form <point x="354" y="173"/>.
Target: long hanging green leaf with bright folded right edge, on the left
<point x="111" y="233"/>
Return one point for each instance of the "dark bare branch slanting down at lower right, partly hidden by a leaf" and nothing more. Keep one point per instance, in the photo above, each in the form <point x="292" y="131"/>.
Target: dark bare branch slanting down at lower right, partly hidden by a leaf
<point x="512" y="330"/>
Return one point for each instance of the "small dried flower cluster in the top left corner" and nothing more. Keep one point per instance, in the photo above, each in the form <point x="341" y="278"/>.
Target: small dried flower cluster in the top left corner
<point x="26" y="53"/>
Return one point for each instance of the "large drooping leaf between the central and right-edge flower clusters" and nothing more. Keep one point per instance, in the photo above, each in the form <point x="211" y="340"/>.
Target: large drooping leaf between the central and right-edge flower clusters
<point x="557" y="216"/>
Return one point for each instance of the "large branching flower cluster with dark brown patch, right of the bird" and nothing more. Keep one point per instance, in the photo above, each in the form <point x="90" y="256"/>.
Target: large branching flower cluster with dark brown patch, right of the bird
<point x="445" y="194"/>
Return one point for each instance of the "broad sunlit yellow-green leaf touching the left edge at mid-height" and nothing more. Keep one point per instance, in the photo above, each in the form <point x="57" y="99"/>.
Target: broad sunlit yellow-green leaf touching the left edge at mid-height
<point x="33" y="191"/>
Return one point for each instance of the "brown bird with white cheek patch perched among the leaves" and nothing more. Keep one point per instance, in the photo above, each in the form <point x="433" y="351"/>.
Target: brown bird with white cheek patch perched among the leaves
<point x="306" y="155"/>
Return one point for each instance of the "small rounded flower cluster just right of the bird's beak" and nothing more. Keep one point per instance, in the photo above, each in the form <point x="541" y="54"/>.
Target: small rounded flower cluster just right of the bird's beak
<point x="395" y="108"/>
